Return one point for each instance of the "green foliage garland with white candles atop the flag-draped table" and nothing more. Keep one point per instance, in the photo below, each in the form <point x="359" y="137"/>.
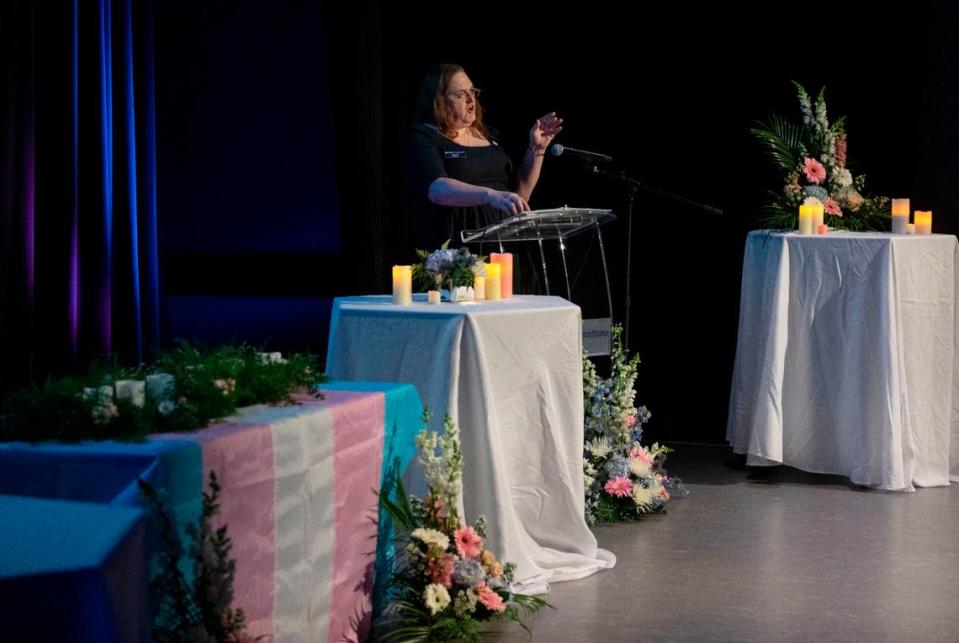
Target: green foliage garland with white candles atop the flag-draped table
<point x="184" y="390"/>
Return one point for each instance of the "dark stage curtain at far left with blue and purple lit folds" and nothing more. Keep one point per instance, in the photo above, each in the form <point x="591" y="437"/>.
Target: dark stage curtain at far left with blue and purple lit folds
<point x="78" y="243"/>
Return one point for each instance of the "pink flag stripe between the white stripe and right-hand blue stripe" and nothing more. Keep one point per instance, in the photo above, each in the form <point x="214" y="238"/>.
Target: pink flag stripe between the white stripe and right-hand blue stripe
<point x="358" y="430"/>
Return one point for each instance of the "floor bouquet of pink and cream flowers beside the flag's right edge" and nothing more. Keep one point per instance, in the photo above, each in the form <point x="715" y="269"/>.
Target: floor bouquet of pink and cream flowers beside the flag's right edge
<point x="447" y="583"/>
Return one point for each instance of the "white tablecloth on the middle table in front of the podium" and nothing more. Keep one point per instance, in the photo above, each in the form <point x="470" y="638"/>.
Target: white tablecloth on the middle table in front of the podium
<point x="510" y="374"/>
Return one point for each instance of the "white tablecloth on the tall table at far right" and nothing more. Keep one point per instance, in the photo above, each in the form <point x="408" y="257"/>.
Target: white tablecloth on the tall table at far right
<point x="847" y="355"/>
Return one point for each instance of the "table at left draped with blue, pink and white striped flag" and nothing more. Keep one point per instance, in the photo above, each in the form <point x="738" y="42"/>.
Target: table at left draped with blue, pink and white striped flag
<point x="297" y="493"/>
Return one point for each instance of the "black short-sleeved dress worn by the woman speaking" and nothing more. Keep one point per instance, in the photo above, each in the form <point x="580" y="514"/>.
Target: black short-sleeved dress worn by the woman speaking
<point x="429" y="156"/>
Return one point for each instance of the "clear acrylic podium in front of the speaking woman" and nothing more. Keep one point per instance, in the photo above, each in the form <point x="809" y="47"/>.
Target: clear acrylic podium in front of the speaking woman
<point x="543" y="225"/>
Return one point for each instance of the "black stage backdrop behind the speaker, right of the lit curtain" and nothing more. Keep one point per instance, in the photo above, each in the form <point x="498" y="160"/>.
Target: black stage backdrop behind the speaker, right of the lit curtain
<point x="280" y="126"/>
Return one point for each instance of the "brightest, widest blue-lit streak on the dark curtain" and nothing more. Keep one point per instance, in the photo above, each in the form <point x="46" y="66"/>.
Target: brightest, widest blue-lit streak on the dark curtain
<point x="106" y="124"/>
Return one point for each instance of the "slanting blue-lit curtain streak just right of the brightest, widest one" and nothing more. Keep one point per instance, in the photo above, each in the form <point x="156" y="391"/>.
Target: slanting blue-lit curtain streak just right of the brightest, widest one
<point x="131" y="140"/>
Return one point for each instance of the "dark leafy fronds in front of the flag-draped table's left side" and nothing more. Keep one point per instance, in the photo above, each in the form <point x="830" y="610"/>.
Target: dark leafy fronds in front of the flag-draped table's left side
<point x="198" y="609"/>
